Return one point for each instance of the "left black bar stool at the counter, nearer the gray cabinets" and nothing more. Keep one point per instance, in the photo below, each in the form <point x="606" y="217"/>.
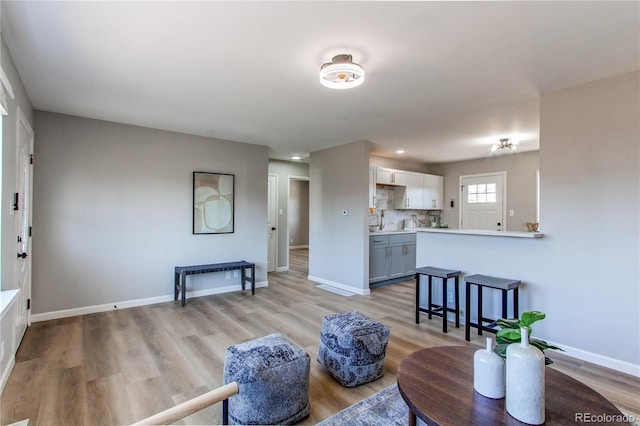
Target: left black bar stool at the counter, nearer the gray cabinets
<point x="434" y="309"/>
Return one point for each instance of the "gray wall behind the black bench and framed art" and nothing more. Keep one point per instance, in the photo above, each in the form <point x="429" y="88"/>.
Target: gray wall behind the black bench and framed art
<point x="113" y="211"/>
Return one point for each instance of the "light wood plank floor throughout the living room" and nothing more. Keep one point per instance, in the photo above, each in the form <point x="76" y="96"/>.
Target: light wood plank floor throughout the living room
<point x="120" y="366"/>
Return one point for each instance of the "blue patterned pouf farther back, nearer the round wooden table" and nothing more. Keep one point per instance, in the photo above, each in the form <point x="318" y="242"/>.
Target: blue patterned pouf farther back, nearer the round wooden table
<point x="352" y="348"/>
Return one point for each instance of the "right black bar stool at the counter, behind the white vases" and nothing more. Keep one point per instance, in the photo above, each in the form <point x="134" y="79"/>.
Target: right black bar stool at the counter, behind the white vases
<point x="482" y="281"/>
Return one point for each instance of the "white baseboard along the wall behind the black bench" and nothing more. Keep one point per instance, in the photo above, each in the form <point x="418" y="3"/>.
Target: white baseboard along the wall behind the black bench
<point x="133" y="303"/>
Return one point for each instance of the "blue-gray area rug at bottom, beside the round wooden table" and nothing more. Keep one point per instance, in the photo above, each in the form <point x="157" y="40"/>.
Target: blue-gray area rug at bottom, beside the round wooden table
<point x="385" y="408"/>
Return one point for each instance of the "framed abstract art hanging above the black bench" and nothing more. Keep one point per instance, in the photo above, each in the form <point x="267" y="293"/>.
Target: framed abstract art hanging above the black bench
<point x="213" y="201"/>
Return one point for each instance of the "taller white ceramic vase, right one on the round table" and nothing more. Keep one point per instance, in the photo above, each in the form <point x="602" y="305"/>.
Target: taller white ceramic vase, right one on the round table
<point x="525" y="381"/>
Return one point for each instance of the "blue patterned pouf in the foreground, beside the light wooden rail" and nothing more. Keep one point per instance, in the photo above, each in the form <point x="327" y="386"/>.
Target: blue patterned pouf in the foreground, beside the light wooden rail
<point x="273" y="380"/>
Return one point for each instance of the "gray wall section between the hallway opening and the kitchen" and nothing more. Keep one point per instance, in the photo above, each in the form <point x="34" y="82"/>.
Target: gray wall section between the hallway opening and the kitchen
<point x="338" y="245"/>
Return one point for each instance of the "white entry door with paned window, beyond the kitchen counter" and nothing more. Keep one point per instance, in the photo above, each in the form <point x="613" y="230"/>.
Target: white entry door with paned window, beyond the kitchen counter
<point x="482" y="203"/>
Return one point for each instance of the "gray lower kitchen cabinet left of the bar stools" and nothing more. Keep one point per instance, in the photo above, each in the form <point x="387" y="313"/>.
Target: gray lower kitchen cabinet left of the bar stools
<point x="391" y="256"/>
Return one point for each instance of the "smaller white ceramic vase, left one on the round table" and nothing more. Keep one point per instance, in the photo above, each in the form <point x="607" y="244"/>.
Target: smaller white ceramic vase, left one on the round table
<point x="488" y="372"/>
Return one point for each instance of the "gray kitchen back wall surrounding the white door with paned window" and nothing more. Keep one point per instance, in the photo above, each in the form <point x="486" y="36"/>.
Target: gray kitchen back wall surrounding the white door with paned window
<point x="521" y="185"/>
